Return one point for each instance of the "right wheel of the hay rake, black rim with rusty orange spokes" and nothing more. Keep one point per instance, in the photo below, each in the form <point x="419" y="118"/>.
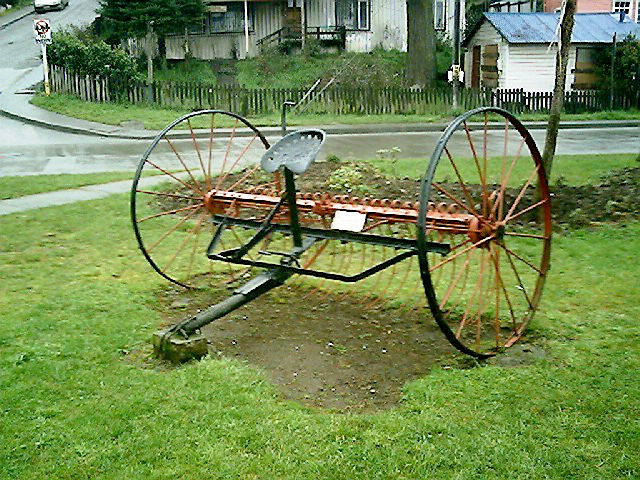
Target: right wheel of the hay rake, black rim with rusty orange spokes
<point x="486" y="290"/>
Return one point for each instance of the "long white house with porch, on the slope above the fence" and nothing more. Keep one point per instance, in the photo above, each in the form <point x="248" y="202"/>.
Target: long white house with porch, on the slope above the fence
<point x="239" y="28"/>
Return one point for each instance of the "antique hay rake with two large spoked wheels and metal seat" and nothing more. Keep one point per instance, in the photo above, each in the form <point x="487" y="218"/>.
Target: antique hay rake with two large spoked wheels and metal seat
<point x="474" y="236"/>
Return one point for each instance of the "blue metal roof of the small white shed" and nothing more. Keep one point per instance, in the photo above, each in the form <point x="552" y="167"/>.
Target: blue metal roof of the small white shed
<point x="541" y="27"/>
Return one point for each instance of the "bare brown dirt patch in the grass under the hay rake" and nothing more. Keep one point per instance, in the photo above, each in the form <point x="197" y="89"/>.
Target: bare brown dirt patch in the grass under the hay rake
<point x="322" y="349"/>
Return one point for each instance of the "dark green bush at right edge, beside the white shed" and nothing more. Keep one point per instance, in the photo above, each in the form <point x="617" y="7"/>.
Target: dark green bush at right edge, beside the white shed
<point x="626" y="68"/>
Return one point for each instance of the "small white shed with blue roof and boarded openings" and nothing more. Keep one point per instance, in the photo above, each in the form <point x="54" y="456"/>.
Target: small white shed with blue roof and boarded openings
<point x="518" y="50"/>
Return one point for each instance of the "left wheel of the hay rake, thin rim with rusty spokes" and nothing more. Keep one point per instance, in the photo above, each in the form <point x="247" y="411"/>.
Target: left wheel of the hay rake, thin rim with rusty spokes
<point x="197" y="153"/>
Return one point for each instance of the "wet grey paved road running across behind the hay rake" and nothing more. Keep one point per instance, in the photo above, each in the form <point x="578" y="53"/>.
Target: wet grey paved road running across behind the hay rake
<point x="28" y="150"/>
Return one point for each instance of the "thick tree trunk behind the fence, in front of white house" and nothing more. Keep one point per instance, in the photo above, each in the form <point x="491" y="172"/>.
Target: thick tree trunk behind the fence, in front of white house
<point x="421" y="43"/>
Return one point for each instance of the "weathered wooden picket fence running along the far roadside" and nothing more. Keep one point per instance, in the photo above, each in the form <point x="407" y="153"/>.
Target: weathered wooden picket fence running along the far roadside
<point x="334" y="100"/>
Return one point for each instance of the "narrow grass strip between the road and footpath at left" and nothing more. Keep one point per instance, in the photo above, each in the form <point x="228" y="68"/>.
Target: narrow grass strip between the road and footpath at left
<point x="12" y="187"/>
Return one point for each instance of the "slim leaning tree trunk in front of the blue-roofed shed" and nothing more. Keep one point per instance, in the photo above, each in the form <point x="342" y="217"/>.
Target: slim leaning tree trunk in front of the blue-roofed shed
<point x="557" y="102"/>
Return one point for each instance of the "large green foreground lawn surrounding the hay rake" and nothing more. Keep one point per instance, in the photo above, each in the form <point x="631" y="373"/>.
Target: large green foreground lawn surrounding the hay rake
<point x="77" y="296"/>
